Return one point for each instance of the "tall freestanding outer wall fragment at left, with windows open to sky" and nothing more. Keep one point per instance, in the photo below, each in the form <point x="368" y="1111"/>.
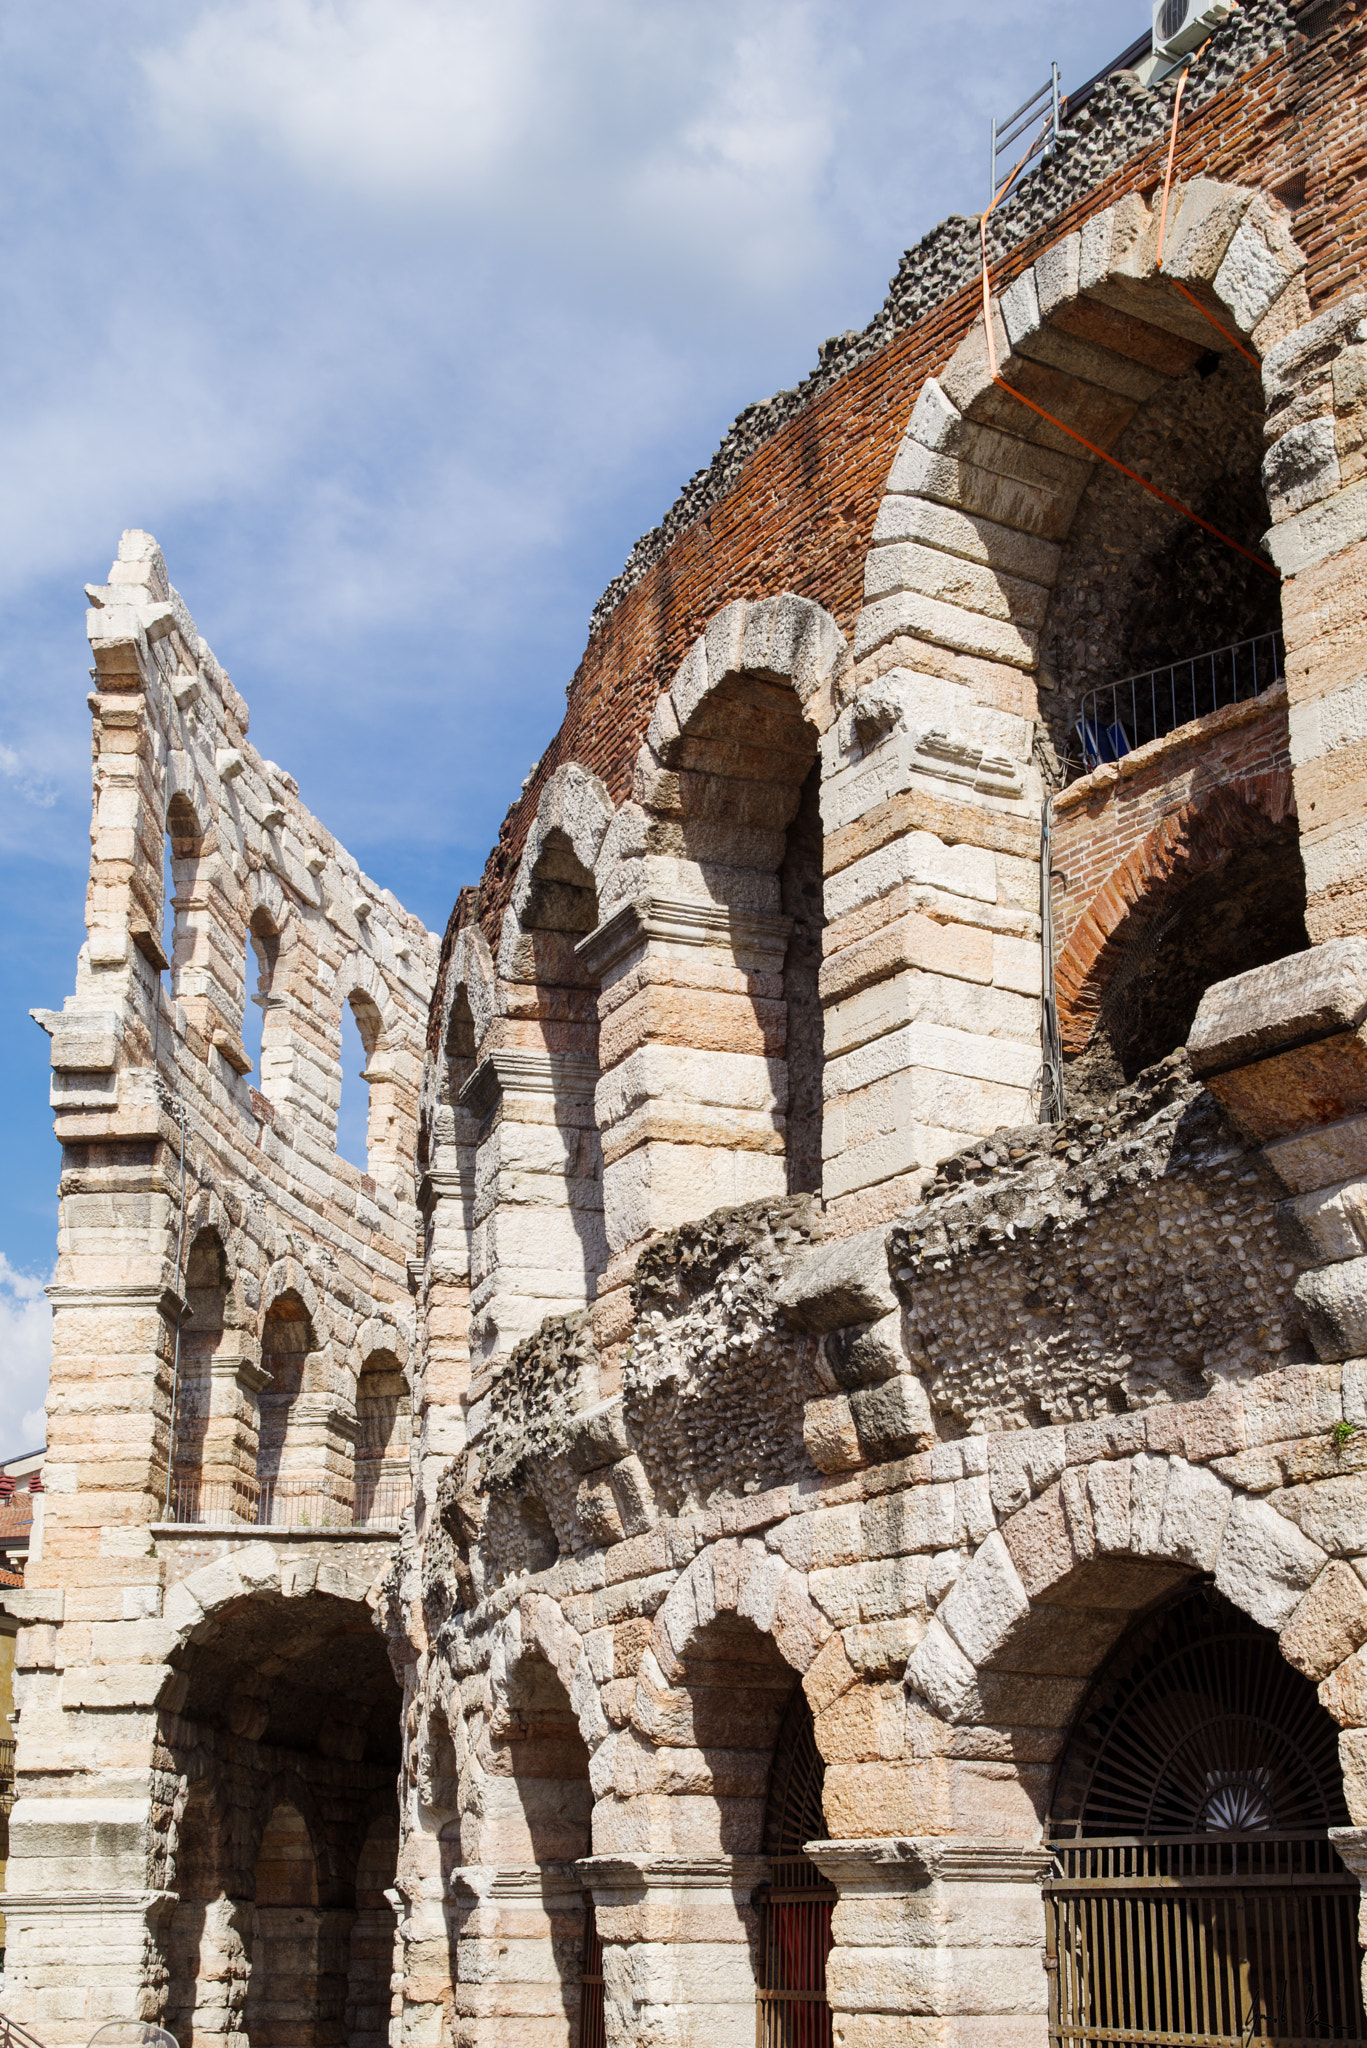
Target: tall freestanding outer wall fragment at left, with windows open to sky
<point x="224" y="1281"/>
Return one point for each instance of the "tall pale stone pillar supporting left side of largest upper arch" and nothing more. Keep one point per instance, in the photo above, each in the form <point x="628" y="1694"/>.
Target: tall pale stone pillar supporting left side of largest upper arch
<point x="931" y="974"/>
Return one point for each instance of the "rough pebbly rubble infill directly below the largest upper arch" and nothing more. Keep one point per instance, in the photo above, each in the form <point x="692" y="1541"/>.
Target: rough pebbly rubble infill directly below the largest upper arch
<point x="1100" y="1267"/>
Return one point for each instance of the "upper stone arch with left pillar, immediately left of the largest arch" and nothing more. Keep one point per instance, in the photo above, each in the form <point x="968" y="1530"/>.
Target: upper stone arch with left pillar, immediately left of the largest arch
<point x="708" y="955"/>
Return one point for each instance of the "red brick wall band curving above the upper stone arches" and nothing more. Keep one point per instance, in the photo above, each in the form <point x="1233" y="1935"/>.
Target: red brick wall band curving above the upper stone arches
<point x="804" y="507"/>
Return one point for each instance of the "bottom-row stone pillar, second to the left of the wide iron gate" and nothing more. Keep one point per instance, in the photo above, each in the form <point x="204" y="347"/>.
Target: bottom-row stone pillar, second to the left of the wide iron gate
<point x="679" y="1943"/>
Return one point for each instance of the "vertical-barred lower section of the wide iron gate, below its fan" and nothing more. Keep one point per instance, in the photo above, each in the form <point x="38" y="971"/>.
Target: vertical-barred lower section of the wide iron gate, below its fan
<point x="1204" y="1943"/>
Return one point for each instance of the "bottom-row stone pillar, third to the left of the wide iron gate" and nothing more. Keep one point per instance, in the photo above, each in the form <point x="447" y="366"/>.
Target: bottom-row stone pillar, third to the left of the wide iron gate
<point x="520" y="1955"/>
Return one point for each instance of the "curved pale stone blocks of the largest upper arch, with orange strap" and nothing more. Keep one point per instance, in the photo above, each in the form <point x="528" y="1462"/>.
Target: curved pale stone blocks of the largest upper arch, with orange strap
<point x="987" y="480"/>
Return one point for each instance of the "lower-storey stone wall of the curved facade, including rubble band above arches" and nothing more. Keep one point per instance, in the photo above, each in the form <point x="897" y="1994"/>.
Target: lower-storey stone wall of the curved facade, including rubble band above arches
<point x="1069" y="1381"/>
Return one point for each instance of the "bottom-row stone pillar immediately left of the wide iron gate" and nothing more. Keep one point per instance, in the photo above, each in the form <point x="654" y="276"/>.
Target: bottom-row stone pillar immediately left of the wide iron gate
<point x="938" y="1938"/>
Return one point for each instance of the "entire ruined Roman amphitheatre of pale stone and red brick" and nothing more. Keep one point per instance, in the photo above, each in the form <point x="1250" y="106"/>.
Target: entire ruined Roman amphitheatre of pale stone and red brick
<point x="817" y="1486"/>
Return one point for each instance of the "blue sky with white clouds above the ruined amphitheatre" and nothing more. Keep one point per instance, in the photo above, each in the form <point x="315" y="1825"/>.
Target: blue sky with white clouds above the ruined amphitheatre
<point x="397" y="323"/>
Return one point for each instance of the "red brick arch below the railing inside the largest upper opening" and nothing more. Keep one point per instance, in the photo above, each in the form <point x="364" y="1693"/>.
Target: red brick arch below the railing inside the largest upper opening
<point x="1182" y="849"/>
